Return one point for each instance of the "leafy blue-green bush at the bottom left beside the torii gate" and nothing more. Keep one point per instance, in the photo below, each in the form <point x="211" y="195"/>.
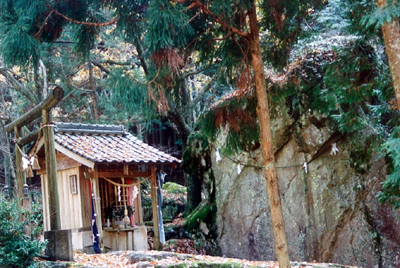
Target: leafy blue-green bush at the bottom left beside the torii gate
<point x="16" y="248"/>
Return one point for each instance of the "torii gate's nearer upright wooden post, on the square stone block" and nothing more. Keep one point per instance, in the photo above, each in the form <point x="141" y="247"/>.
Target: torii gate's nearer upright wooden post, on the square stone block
<point x="51" y="170"/>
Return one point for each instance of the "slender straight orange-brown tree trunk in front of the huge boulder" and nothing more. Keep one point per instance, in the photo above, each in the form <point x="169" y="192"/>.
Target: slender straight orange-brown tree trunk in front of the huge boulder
<point x="278" y="224"/>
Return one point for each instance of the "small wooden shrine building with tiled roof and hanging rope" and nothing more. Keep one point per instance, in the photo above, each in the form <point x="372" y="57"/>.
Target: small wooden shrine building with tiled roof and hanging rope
<point x="99" y="171"/>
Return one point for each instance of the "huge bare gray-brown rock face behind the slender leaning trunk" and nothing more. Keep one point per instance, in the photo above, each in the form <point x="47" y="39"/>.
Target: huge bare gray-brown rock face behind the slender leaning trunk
<point x="330" y="207"/>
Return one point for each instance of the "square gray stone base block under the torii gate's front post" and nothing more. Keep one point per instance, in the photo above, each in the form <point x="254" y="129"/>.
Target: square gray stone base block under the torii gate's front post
<point x="59" y="246"/>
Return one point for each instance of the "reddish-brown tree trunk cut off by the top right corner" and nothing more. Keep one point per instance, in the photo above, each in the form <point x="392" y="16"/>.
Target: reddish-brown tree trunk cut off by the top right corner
<point x="391" y="35"/>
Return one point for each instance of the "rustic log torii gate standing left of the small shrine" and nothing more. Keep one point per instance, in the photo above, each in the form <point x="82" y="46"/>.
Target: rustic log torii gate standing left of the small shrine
<point x="42" y="109"/>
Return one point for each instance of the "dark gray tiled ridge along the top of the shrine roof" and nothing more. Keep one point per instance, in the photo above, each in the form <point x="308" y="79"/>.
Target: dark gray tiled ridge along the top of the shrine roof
<point x="95" y="129"/>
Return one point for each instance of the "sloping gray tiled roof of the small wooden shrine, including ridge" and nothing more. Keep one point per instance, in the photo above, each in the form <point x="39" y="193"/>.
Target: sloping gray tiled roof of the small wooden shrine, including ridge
<point x="107" y="143"/>
